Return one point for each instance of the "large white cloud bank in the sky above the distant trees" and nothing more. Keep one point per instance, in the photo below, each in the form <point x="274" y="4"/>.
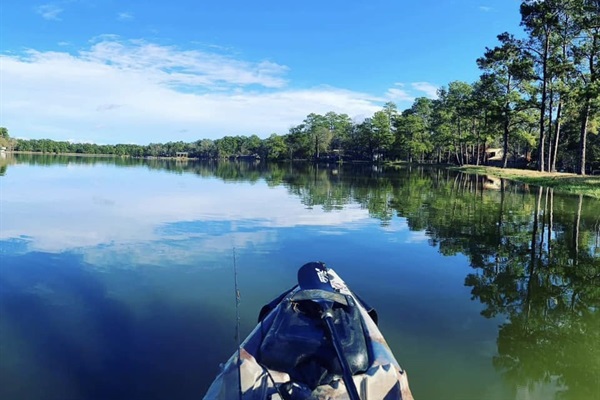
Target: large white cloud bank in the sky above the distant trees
<point x="135" y="91"/>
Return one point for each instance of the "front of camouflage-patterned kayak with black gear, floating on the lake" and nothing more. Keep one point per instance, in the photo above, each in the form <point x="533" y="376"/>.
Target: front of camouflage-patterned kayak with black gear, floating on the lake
<point x="315" y="341"/>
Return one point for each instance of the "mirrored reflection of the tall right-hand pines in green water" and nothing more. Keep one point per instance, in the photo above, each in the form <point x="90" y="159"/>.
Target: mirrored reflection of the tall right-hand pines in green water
<point x="549" y="290"/>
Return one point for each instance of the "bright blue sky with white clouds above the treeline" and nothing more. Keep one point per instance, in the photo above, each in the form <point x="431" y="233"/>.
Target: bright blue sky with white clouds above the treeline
<point x="109" y="71"/>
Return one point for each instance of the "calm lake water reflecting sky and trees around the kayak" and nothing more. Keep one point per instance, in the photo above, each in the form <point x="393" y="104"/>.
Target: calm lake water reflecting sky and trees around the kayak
<point x="116" y="276"/>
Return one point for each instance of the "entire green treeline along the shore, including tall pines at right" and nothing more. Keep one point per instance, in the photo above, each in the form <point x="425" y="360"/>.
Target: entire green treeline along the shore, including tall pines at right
<point x="537" y="102"/>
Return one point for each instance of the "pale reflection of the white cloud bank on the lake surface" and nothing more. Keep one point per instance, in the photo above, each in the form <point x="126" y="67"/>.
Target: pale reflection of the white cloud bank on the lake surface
<point x="124" y="210"/>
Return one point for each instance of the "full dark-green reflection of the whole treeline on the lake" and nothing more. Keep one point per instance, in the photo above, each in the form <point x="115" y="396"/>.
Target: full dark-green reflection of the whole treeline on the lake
<point x="534" y="253"/>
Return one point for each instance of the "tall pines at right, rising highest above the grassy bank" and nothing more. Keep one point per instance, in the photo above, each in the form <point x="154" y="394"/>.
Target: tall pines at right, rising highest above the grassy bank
<point x="543" y="91"/>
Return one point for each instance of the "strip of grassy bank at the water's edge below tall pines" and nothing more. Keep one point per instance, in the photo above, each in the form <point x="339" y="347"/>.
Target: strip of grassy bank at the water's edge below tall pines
<point x="562" y="182"/>
